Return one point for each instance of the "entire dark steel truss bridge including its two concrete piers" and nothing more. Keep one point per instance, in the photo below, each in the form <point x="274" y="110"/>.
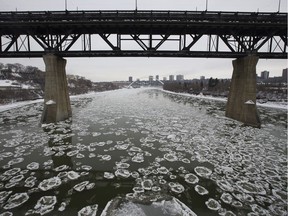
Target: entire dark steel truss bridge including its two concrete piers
<point x="246" y="36"/>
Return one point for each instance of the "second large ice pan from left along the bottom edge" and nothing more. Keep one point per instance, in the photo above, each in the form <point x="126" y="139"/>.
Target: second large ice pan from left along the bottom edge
<point x="45" y="204"/>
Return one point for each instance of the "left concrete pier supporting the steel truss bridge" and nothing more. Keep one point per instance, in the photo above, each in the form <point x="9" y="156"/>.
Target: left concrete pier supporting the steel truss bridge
<point x="56" y="98"/>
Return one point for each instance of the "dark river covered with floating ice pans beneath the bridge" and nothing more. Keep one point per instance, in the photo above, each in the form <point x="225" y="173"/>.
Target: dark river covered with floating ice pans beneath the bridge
<point x="145" y="151"/>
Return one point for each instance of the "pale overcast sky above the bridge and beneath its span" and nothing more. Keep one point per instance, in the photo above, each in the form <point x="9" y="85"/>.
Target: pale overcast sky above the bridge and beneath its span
<point x="111" y="69"/>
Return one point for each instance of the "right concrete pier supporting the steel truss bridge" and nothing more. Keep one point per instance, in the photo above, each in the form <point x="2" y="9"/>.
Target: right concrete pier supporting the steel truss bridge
<point x="241" y="104"/>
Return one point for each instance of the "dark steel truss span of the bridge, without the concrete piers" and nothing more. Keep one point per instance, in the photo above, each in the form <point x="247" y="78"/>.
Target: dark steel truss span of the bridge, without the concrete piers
<point x="143" y="33"/>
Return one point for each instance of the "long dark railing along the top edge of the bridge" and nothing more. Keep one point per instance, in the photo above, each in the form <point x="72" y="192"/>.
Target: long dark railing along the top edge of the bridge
<point x="199" y="16"/>
